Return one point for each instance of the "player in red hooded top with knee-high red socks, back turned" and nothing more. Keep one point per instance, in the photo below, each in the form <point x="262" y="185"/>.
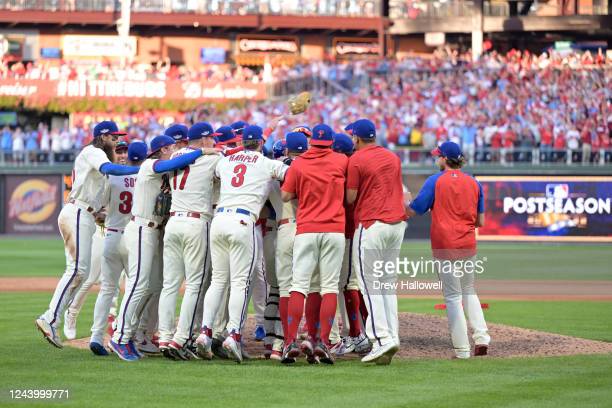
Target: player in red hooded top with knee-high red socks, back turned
<point x="317" y="180"/>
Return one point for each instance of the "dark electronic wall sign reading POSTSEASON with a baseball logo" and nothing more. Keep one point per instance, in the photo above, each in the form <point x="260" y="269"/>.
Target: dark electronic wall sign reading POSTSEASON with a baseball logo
<point x="535" y="208"/>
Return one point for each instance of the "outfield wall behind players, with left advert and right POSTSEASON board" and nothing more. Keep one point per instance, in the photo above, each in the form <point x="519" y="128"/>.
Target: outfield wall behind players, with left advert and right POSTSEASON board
<point x="519" y="206"/>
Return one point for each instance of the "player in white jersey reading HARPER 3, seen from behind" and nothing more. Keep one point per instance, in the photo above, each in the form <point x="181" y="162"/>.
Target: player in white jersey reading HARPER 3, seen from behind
<point x="245" y="182"/>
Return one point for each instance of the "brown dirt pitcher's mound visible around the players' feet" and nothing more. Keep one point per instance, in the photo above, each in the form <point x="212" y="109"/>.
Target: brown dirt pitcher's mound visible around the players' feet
<point x="426" y="336"/>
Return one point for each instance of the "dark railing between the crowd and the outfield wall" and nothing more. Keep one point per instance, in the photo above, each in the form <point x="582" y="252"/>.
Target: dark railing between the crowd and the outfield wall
<point x="410" y="157"/>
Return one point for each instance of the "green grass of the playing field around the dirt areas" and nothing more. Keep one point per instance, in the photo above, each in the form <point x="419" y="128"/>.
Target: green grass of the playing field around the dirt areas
<point x="27" y="360"/>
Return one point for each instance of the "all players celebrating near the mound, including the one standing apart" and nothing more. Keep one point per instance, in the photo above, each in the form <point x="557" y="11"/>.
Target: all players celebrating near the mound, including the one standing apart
<point x="289" y="231"/>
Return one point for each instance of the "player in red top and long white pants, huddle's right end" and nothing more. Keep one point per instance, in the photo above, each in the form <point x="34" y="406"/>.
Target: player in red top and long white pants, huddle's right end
<point x="374" y="185"/>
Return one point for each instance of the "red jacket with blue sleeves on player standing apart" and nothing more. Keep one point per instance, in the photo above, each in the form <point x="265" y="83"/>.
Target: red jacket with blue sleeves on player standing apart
<point x="455" y="200"/>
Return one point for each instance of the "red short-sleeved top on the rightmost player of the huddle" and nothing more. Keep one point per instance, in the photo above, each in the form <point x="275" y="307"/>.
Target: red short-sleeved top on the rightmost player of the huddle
<point x="376" y="174"/>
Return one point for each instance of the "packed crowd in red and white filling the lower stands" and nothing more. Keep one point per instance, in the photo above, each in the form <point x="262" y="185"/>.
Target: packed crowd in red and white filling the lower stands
<point x="499" y="108"/>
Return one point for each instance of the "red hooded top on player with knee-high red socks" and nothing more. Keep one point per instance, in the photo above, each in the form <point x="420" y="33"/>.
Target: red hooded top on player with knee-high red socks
<point x="317" y="178"/>
